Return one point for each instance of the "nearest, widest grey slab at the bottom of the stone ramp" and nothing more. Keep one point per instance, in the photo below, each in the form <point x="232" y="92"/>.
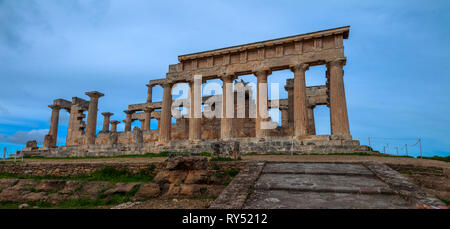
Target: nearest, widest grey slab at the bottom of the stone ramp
<point x="282" y="199"/>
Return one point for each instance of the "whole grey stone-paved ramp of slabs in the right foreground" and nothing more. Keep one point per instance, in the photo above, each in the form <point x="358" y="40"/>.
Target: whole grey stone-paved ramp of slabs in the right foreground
<point x="322" y="185"/>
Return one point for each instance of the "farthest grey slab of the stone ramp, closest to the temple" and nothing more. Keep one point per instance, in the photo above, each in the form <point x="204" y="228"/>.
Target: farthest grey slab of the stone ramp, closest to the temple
<point x="317" y="168"/>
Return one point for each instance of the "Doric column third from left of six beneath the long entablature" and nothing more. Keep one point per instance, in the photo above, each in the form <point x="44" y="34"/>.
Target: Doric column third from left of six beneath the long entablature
<point x="226" y="121"/>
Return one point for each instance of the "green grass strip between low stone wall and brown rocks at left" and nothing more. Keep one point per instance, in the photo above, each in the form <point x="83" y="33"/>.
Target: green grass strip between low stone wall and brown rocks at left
<point x="106" y="174"/>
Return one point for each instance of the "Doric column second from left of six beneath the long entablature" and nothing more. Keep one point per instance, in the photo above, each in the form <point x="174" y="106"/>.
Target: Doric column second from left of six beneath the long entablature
<point x="195" y="111"/>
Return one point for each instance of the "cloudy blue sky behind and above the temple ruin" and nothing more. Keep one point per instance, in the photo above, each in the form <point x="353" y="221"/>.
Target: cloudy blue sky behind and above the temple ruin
<point x="397" y="74"/>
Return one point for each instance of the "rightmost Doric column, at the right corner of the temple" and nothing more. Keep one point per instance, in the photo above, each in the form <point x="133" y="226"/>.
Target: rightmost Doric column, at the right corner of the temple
<point x="338" y="105"/>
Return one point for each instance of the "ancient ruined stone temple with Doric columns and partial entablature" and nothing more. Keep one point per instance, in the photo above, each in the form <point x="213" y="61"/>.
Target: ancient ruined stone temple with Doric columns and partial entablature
<point x="295" y="135"/>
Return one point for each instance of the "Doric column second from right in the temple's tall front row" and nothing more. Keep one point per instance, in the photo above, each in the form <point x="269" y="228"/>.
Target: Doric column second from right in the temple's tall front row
<point x="300" y="101"/>
